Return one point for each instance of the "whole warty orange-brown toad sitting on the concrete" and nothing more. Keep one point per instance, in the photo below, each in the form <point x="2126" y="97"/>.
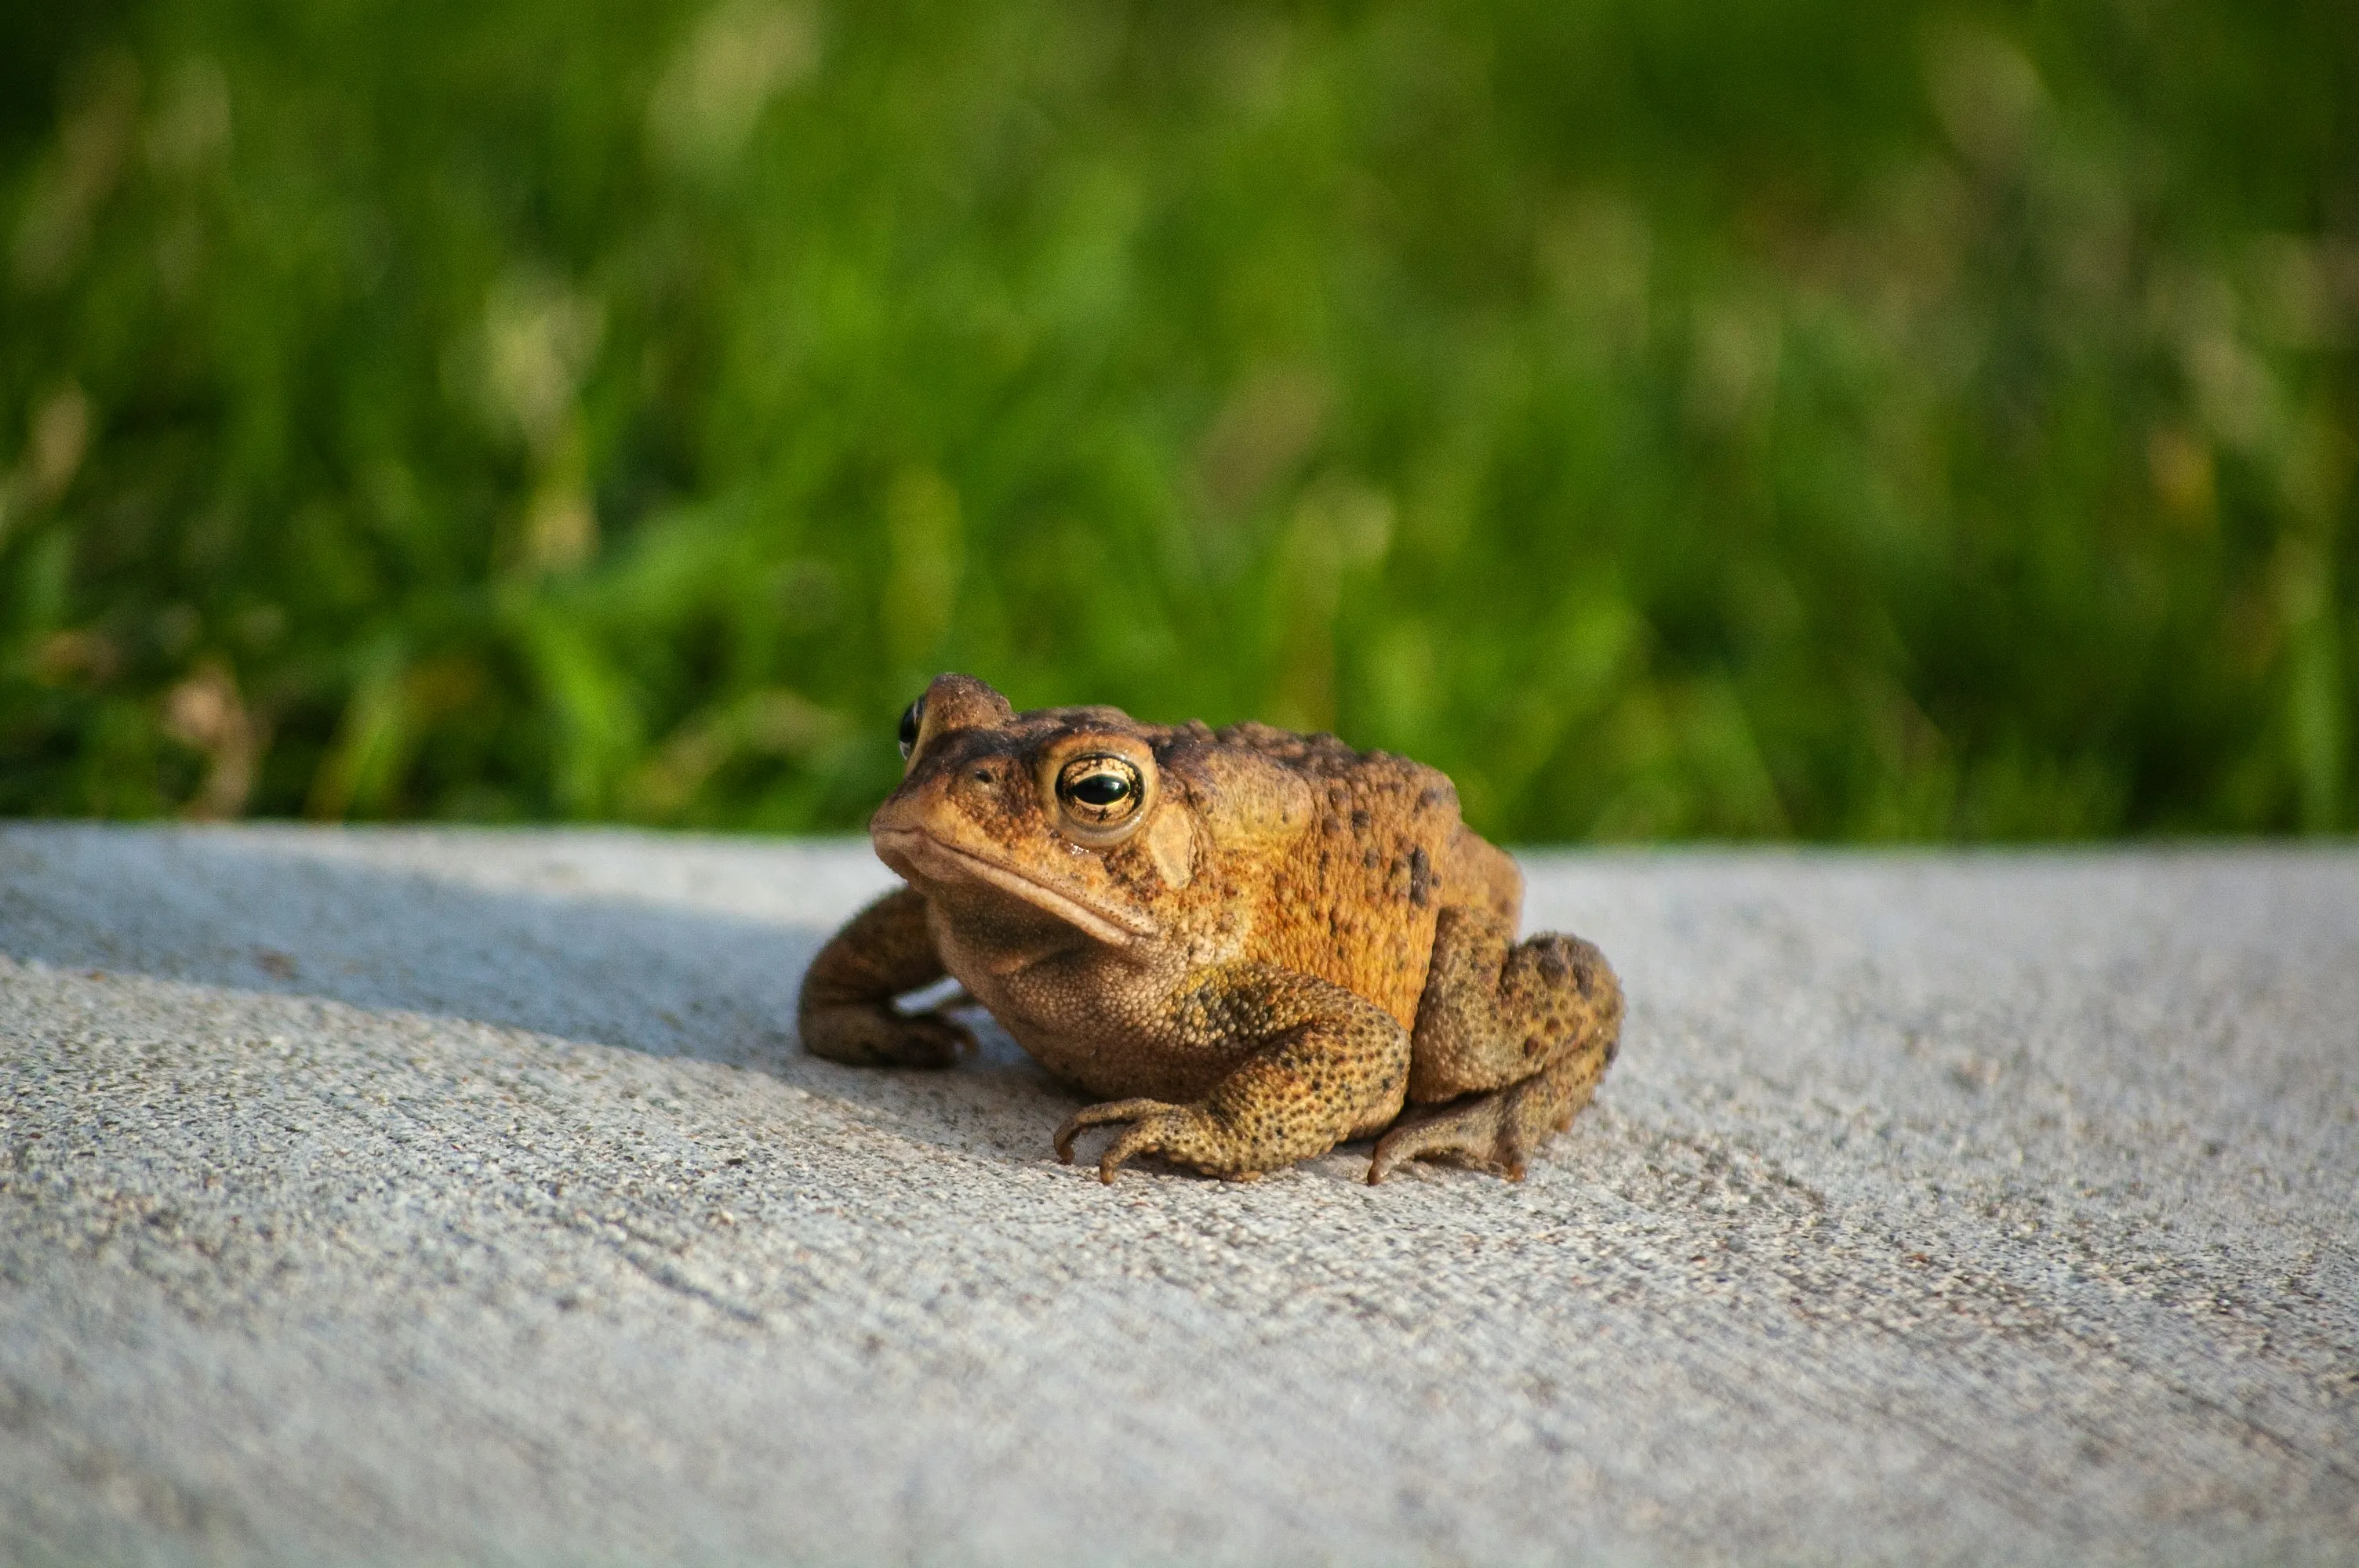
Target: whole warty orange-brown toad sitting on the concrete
<point x="1249" y="944"/>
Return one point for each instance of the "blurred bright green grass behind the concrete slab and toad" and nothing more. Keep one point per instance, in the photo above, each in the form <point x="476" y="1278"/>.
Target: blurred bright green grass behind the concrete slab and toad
<point x="1749" y="419"/>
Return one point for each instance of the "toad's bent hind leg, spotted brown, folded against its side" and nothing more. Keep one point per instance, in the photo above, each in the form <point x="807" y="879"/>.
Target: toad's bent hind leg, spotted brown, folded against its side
<point x="1513" y="1036"/>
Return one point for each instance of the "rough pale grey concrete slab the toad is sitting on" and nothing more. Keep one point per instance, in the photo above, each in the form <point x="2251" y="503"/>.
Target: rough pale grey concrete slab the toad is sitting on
<point x="461" y="1197"/>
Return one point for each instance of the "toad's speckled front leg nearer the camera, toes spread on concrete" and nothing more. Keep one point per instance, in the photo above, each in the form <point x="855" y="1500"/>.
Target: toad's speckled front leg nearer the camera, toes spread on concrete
<point x="1327" y="1067"/>
